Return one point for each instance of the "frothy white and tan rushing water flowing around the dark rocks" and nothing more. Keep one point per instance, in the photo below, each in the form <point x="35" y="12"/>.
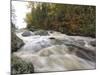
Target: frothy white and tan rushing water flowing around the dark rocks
<point x="51" y="55"/>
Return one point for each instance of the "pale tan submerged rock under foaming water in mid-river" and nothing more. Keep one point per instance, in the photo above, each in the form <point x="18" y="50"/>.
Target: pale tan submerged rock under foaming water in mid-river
<point x="54" y="50"/>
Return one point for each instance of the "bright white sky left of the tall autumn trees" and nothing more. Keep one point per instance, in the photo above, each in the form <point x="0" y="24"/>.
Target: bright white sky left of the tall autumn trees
<point x="20" y="12"/>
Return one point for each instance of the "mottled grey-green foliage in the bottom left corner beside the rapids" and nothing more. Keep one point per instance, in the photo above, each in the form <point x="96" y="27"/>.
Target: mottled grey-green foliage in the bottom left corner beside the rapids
<point x="18" y="66"/>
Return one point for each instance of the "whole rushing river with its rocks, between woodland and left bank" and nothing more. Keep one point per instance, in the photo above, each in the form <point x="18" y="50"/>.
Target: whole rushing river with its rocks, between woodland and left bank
<point x="54" y="51"/>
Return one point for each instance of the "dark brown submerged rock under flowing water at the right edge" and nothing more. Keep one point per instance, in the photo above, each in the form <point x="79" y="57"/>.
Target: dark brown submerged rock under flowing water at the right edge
<point x="83" y="53"/>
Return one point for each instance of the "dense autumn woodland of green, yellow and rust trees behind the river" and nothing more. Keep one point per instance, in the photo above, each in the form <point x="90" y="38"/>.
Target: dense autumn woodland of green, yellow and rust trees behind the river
<point x="66" y="18"/>
